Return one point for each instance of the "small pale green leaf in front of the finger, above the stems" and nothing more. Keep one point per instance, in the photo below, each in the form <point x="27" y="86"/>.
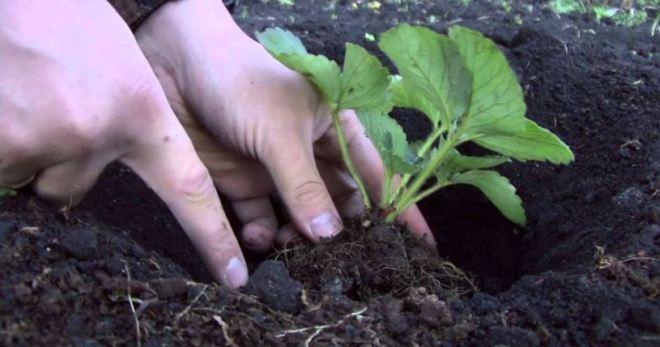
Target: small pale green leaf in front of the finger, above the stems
<point x="390" y="141"/>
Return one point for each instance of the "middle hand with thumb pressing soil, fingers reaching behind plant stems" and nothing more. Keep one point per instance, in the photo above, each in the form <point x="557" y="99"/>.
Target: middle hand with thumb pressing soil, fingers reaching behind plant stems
<point x="268" y="129"/>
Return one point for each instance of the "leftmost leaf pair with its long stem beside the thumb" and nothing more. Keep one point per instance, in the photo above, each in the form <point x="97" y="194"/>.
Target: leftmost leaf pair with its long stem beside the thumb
<point x="361" y="84"/>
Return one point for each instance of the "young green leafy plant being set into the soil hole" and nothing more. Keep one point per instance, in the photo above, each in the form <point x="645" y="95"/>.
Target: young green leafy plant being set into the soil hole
<point x="463" y="84"/>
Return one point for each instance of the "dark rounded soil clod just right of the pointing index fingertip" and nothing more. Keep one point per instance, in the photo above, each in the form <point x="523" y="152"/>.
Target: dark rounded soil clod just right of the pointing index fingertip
<point x="272" y="284"/>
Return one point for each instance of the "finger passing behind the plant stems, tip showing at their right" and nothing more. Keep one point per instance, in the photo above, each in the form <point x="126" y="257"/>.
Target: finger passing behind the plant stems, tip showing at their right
<point x="370" y="167"/>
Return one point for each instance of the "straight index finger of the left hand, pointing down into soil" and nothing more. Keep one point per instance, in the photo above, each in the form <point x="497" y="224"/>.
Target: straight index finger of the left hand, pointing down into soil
<point x="167" y="161"/>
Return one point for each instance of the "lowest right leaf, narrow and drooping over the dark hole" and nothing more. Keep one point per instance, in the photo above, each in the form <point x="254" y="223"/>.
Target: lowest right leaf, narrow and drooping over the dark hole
<point x="498" y="190"/>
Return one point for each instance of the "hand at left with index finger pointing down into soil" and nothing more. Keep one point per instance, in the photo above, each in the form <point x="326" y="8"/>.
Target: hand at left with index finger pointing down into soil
<point x="76" y="93"/>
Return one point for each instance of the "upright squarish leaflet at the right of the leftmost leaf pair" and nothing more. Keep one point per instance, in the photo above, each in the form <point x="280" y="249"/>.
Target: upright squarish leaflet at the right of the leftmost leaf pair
<point x="364" y="82"/>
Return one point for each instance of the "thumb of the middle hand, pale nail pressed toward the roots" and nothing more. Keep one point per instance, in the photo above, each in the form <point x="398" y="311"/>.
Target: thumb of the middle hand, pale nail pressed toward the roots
<point x="292" y="165"/>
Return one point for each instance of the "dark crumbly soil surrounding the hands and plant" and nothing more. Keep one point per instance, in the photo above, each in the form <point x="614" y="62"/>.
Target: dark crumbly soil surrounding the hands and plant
<point x="585" y="270"/>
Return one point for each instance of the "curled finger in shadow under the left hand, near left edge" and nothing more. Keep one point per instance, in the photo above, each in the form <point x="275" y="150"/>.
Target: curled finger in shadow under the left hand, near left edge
<point x="68" y="182"/>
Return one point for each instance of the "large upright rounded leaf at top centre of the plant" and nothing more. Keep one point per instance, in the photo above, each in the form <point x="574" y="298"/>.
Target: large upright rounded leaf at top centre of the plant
<point x="432" y="72"/>
